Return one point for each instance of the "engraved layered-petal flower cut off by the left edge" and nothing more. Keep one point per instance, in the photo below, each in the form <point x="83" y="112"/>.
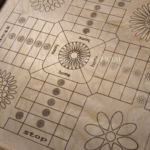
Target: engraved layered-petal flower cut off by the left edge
<point x="7" y="88"/>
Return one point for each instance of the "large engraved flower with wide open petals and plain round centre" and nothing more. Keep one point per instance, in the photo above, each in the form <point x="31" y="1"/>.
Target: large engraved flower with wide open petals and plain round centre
<point x="111" y="134"/>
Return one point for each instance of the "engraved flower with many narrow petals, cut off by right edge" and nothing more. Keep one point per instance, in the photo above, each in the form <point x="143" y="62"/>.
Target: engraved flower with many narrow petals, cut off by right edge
<point x="141" y="22"/>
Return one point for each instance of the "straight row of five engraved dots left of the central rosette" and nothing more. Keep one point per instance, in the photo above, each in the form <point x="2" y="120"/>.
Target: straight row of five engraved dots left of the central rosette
<point x="29" y="41"/>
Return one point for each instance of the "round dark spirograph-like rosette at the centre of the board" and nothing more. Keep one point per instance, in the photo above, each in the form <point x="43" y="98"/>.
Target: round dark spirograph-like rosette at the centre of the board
<point x="74" y="55"/>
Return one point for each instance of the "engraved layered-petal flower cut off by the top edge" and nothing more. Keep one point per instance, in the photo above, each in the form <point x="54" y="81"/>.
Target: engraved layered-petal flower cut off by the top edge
<point x="46" y="5"/>
